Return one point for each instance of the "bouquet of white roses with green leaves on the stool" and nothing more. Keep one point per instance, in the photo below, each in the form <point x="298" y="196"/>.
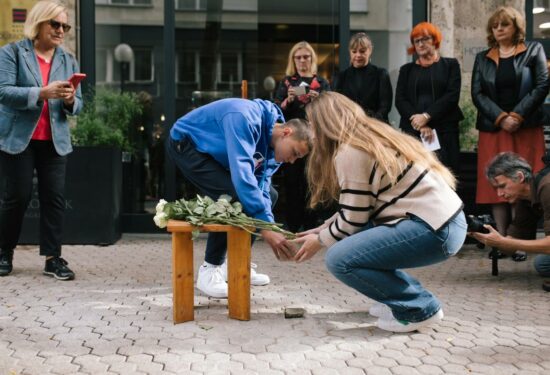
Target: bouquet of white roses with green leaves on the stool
<point x="204" y="210"/>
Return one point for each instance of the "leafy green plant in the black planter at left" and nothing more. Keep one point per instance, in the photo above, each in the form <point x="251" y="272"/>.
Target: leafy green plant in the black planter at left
<point x="106" y="120"/>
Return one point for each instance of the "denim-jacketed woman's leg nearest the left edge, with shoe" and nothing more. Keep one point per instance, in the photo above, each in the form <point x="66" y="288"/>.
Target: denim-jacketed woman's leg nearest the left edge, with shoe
<point x="16" y="172"/>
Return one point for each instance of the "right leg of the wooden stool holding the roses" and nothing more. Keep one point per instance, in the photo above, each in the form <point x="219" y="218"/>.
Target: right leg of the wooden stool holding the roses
<point x="238" y="274"/>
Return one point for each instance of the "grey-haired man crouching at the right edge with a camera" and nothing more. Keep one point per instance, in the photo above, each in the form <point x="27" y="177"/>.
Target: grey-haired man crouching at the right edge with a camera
<point x="529" y="193"/>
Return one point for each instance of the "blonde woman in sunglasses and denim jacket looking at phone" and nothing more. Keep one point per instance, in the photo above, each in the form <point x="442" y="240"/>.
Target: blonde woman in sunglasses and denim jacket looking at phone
<point x="35" y="99"/>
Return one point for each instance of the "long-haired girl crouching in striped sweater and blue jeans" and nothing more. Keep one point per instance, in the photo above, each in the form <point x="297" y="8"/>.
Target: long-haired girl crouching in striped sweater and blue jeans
<point x="397" y="209"/>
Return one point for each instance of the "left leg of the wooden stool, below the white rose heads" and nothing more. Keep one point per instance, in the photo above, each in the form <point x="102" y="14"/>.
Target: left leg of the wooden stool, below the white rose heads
<point x="182" y="277"/>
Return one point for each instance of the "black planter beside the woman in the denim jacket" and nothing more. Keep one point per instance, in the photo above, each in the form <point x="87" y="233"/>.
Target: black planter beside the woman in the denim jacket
<point x="93" y="199"/>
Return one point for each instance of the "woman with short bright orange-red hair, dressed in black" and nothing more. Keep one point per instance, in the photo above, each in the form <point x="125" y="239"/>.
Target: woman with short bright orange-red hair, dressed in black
<point x="427" y="94"/>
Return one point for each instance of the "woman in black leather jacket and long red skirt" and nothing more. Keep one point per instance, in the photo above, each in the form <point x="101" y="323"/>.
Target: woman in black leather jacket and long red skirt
<point x="509" y="85"/>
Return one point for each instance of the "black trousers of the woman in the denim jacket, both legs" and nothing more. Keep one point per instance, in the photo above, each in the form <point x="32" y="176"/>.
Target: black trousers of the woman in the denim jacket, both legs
<point x="16" y="181"/>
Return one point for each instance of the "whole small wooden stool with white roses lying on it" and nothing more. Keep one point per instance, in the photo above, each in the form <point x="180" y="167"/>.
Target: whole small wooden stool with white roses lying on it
<point x="238" y="269"/>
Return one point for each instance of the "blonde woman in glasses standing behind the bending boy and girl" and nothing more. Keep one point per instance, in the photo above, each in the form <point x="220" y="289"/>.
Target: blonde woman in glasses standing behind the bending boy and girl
<point x="298" y="88"/>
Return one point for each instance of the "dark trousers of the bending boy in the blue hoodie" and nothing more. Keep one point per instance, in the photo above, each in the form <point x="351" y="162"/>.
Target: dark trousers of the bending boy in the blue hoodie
<point x="212" y="180"/>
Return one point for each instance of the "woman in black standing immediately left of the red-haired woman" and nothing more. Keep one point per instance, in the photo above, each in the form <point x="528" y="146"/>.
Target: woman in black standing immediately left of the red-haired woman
<point x="365" y="83"/>
